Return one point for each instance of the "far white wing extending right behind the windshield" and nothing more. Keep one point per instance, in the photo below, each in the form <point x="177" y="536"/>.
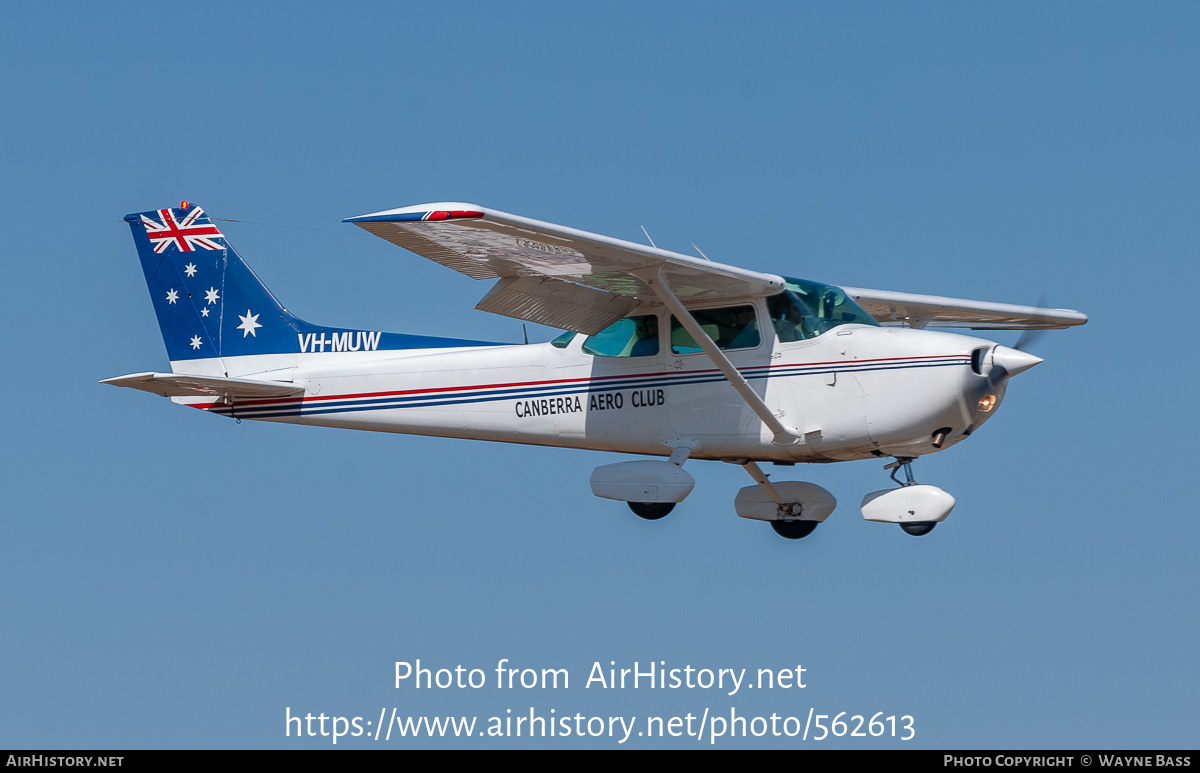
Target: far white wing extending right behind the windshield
<point x="919" y="311"/>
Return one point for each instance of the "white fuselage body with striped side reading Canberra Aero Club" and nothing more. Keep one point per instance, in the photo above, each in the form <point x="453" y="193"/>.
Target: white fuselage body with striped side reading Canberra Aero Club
<point x="856" y="392"/>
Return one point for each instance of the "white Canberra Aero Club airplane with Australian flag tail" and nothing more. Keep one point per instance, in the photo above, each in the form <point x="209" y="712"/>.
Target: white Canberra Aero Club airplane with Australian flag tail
<point x="664" y="356"/>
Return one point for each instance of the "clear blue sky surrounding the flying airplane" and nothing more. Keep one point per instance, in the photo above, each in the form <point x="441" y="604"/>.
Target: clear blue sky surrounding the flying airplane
<point x="176" y="580"/>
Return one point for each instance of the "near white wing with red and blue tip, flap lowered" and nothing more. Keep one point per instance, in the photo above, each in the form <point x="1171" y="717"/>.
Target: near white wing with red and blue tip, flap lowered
<point x="554" y="275"/>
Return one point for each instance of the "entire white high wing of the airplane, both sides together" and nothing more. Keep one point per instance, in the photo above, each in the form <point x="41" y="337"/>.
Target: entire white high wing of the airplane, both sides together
<point x="581" y="281"/>
